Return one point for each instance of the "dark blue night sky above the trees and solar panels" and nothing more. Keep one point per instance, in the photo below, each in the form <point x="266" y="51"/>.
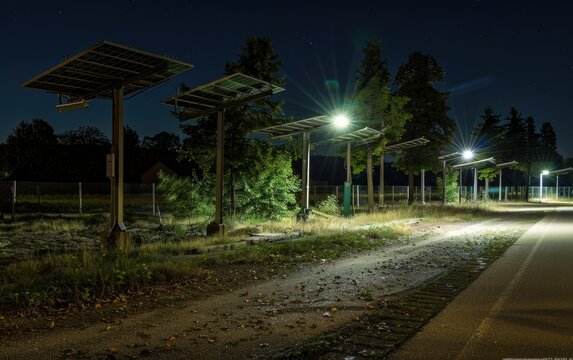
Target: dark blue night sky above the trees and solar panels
<point x="512" y="54"/>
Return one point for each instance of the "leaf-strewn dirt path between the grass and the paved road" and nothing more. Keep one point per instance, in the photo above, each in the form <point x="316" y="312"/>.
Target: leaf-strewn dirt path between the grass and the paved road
<point x="262" y="319"/>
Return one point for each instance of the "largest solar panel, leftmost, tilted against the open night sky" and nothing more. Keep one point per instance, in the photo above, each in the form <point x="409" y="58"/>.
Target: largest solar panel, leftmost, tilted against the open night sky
<point x="94" y="72"/>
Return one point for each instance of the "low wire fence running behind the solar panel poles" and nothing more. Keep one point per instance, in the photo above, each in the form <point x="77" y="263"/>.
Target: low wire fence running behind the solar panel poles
<point x="21" y="197"/>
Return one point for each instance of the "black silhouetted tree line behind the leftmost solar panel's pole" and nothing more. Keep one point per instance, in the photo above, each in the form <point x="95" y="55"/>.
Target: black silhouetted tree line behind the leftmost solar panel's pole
<point x="34" y="152"/>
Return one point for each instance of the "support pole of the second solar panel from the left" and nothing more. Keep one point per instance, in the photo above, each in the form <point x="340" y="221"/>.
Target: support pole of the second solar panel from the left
<point x="217" y="226"/>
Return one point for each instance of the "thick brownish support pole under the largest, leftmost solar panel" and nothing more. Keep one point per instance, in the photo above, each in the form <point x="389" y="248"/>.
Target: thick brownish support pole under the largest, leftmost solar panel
<point x="117" y="151"/>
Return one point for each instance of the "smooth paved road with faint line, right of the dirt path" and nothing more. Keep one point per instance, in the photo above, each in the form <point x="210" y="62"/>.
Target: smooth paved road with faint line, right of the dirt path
<point x="520" y="307"/>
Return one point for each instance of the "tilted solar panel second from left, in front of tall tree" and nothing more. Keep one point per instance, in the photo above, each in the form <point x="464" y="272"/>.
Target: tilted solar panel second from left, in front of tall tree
<point x="228" y="91"/>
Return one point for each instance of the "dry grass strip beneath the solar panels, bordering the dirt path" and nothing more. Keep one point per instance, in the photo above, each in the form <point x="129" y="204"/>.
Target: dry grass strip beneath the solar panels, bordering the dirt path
<point x="173" y="251"/>
